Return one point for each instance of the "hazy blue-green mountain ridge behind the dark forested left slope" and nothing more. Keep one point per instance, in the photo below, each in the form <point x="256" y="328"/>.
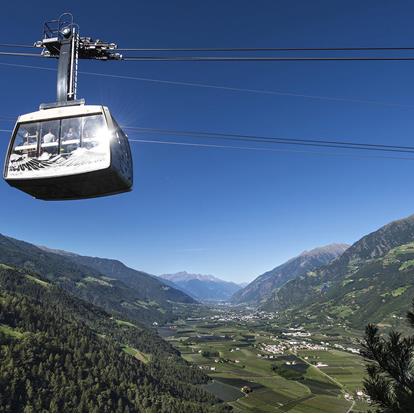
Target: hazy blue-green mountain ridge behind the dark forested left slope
<point x="145" y="298"/>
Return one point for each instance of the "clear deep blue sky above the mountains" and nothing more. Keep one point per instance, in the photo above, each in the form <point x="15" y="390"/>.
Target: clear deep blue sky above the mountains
<point x="231" y="213"/>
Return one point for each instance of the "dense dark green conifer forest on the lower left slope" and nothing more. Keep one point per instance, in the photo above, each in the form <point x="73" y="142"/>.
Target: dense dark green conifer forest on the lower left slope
<point x="59" y="353"/>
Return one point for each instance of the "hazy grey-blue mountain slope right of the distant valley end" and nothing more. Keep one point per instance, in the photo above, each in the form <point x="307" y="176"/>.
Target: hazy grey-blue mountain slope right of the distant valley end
<point x="261" y="288"/>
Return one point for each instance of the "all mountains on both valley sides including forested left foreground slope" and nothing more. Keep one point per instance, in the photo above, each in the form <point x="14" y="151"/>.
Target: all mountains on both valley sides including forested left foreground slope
<point x="75" y="335"/>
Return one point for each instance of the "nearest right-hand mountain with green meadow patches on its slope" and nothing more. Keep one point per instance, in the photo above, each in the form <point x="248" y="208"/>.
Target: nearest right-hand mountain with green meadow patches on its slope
<point x="373" y="281"/>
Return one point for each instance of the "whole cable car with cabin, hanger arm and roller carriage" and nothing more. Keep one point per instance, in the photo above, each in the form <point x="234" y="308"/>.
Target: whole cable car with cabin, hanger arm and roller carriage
<point x="69" y="150"/>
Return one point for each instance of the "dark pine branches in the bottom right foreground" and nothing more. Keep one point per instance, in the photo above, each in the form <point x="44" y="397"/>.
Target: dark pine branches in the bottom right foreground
<point x="390" y="368"/>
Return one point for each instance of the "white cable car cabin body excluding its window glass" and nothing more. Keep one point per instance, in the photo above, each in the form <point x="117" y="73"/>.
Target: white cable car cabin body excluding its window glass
<point x="111" y="174"/>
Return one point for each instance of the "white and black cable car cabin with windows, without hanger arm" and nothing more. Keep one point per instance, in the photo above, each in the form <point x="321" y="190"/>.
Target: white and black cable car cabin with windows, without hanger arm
<point x="69" y="152"/>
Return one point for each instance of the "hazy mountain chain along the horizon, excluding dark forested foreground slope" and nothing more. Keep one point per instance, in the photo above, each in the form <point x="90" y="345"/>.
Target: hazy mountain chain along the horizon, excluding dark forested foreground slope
<point x="370" y="281"/>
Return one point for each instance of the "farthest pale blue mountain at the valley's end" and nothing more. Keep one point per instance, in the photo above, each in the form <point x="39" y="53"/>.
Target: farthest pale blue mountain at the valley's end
<point x="202" y="287"/>
